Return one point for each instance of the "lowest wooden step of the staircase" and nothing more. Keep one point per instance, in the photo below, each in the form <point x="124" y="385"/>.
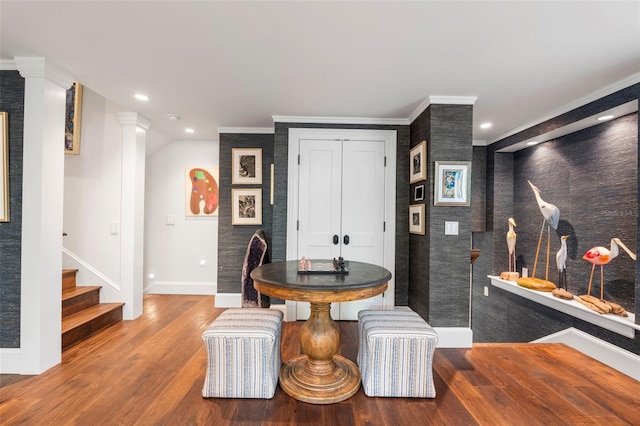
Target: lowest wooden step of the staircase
<point x="81" y="325"/>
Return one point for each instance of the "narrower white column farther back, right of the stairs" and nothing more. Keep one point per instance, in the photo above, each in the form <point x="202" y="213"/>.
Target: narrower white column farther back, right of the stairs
<point x="134" y="129"/>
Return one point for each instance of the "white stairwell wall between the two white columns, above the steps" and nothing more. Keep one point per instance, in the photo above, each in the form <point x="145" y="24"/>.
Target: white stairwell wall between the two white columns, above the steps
<point x="92" y="198"/>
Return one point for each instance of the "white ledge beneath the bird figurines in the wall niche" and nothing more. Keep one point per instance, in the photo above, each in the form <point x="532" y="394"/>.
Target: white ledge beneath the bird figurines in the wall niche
<point x="625" y="326"/>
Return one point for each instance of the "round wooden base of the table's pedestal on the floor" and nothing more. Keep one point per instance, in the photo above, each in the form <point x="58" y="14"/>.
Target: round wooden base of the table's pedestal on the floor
<point x="340" y="383"/>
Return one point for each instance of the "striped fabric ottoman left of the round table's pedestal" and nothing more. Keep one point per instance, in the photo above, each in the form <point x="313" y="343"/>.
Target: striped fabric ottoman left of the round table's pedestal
<point x="243" y="351"/>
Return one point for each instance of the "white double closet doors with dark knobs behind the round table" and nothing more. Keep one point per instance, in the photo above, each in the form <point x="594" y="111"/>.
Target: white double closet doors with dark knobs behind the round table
<point x="341" y="208"/>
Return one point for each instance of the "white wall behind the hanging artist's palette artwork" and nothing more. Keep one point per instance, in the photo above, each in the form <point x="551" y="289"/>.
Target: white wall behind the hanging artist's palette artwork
<point x="173" y="253"/>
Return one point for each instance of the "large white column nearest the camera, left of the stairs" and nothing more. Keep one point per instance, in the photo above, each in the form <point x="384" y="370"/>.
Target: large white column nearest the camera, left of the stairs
<point x="42" y="201"/>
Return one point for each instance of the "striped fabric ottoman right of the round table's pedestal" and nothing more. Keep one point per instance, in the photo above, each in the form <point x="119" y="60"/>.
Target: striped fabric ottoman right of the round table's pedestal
<point x="395" y="354"/>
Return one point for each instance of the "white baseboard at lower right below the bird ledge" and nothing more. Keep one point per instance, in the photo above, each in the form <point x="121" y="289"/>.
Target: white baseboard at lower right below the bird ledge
<point x="615" y="357"/>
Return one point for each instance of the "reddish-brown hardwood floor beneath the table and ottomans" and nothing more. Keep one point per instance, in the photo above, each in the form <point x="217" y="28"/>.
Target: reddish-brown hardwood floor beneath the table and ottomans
<point x="151" y="370"/>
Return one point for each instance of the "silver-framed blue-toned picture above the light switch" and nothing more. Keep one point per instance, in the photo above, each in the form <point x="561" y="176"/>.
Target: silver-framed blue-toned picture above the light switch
<point x="452" y="183"/>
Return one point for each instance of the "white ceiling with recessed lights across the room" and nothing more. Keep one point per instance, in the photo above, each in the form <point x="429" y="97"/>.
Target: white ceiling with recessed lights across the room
<point x="238" y="64"/>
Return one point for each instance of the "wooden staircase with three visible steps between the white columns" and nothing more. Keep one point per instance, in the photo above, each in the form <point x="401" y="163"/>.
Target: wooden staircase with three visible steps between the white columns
<point x="82" y="313"/>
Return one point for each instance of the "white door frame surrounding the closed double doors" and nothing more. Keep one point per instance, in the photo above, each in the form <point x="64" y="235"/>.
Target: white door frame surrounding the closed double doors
<point x="390" y="138"/>
